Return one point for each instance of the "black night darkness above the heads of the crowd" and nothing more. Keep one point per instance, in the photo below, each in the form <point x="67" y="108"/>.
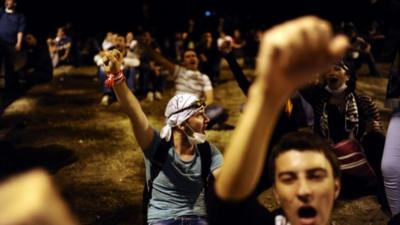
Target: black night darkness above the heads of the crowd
<point x="90" y="17"/>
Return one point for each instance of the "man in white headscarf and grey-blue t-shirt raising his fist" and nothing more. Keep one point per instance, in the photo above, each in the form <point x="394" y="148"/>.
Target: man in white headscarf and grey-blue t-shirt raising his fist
<point x="177" y="193"/>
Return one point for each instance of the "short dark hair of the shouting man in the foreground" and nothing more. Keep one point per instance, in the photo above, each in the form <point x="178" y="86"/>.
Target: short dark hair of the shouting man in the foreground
<point x="303" y="141"/>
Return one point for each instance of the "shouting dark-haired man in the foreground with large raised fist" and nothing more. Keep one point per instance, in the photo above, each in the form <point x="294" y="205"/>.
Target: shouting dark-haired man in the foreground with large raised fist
<point x="305" y="172"/>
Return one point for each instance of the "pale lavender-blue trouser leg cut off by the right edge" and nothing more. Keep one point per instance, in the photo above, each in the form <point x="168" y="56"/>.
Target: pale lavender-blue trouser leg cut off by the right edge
<point x="390" y="163"/>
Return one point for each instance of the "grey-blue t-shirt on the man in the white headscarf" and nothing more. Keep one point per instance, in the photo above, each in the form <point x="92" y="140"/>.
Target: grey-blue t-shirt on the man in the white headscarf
<point x="178" y="188"/>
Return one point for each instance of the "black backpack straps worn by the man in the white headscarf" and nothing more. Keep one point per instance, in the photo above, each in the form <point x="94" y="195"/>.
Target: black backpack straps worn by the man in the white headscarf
<point x="160" y="157"/>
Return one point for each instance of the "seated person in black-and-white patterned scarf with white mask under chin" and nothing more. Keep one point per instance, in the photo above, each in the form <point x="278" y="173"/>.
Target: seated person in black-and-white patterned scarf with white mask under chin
<point x="341" y="114"/>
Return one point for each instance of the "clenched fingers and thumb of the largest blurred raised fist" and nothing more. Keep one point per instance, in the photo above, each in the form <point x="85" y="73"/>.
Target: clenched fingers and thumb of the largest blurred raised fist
<point x="305" y="45"/>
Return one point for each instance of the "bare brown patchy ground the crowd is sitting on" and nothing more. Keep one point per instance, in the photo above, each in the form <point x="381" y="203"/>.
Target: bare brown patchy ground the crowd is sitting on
<point x="93" y="155"/>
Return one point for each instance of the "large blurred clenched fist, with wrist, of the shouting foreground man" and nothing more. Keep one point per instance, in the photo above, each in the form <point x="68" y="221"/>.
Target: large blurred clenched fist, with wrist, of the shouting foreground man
<point x="291" y="54"/>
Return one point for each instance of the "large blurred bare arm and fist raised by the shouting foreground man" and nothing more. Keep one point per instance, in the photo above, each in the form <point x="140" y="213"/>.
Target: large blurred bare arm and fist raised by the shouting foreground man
<point x="289" y="56"/>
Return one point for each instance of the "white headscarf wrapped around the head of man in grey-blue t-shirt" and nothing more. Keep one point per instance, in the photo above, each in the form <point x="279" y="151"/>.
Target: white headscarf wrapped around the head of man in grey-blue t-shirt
<point x="178" y="102"/>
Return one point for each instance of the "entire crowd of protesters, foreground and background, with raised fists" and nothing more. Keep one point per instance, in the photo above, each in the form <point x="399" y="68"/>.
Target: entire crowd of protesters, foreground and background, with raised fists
<point x="304" y="132"/>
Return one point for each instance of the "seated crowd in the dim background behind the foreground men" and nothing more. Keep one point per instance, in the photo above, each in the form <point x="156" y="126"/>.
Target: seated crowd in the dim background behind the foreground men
<point x="330" y="107"/>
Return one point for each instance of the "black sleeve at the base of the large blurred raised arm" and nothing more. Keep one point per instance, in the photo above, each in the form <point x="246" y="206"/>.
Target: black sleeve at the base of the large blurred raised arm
<point x="249" y="211"/>
